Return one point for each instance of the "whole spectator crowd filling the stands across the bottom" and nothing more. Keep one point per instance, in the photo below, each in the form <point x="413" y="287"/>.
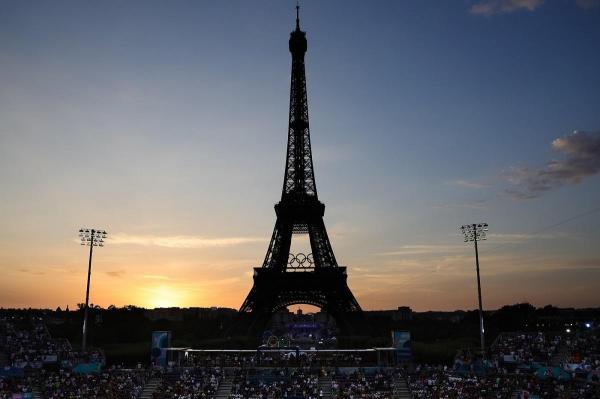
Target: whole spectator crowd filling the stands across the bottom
<point x="518" y="365"/>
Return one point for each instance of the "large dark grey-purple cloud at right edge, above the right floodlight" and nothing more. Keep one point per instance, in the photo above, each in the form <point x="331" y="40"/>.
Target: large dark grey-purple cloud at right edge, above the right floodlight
<point x="582" y="151"/>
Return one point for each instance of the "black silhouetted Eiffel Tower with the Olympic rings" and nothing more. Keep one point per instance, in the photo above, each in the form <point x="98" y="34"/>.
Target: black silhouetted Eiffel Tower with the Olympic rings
<point x="286" y="279"/>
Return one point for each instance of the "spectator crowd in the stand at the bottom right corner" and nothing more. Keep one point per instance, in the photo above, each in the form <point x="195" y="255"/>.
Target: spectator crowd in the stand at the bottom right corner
<point x="520" y="365"/>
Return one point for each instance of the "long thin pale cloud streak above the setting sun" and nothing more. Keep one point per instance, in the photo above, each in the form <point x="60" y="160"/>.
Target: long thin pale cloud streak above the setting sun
<point x="181" y="241"/>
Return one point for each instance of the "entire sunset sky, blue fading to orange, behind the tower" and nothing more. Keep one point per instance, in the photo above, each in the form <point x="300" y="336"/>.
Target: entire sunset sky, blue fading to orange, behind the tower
<point x="165" y="123"/>
